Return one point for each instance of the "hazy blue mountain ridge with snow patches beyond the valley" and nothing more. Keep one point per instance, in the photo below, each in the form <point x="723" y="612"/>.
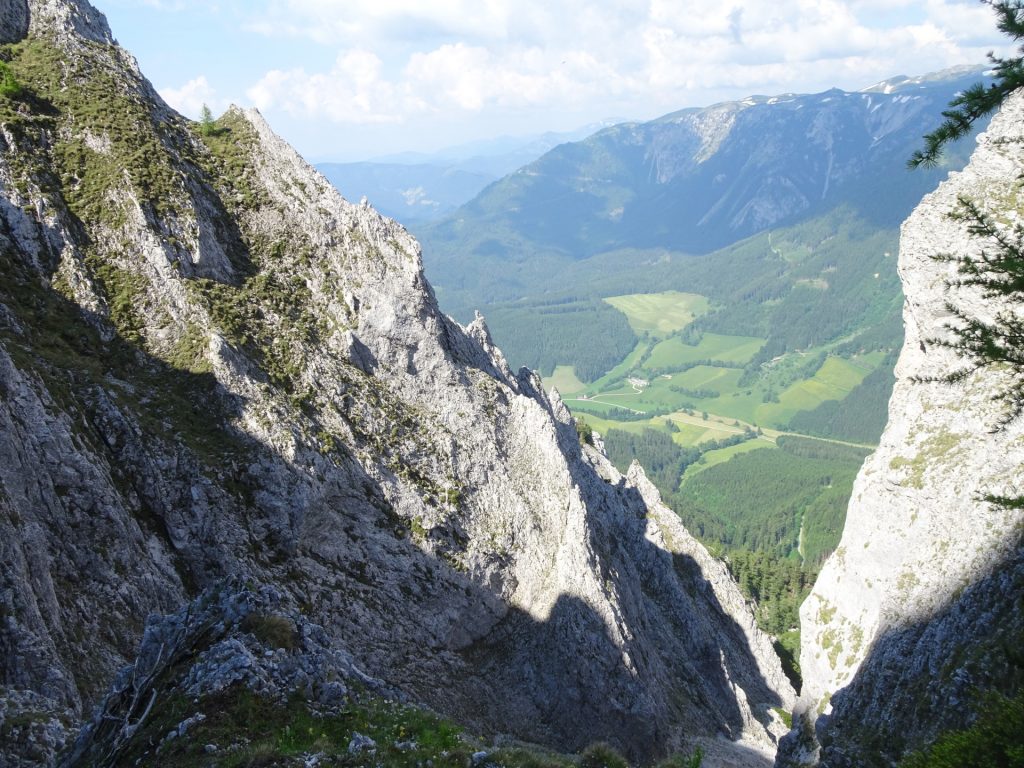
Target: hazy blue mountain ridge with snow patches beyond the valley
<point x="699" y="180"/>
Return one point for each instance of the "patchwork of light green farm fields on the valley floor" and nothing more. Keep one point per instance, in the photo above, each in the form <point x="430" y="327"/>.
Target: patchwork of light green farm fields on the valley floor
<point x="665" y="374"/>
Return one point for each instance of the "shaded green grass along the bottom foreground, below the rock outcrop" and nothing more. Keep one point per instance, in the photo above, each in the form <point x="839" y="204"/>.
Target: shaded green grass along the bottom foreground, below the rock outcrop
<point x="249" y="732"/>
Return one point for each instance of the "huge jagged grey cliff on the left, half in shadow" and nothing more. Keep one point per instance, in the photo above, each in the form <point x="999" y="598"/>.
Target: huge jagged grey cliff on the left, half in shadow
<point x="214" y="369"/>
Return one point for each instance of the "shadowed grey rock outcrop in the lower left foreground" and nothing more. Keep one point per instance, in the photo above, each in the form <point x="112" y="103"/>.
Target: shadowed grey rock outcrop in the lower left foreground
<point x="229" y="639"/>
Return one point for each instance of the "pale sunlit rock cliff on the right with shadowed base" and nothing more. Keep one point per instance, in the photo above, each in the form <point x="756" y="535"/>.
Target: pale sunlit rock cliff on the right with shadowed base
<point x="917" y="615"/>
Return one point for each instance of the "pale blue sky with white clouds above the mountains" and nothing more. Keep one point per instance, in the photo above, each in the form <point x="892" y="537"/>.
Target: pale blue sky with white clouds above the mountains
<point x="348" y="80"/>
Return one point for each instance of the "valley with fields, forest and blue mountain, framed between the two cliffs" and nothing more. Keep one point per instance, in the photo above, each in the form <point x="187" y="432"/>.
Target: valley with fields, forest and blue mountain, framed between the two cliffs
<point x="710" y="290"/>
